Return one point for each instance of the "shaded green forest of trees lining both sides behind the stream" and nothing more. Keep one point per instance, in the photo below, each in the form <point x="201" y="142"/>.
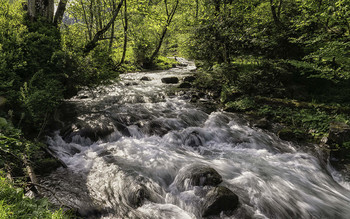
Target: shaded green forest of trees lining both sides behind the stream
<point x="286" y="61"/>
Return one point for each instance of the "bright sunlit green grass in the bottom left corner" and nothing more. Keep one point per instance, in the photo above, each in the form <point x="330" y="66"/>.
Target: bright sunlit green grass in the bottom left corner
<point x="13" y="204"/>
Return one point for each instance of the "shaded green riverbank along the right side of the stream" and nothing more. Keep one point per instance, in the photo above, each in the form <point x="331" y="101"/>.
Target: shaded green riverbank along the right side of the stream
<point x="284" y="105"/>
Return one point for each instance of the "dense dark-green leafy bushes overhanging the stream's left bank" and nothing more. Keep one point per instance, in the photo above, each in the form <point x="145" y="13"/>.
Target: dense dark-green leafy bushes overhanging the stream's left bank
<point x="38" y="67"/>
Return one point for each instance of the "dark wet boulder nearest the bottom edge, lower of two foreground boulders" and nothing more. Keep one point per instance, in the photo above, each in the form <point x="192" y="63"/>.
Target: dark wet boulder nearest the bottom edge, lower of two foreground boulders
<point x="220" y="199"/>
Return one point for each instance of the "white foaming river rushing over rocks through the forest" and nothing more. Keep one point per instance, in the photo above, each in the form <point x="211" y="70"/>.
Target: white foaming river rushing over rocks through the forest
<point x="132" y="141"/>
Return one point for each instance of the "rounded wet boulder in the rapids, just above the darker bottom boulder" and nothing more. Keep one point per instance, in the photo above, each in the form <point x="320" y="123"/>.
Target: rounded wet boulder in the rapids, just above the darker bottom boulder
<point x="197" y="175"/>
